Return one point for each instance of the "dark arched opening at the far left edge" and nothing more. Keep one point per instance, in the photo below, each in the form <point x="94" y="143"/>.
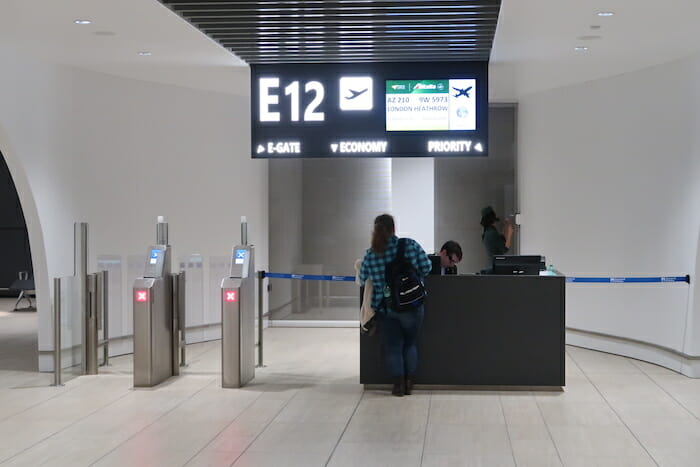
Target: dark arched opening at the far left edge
<point x="18" y="317"/>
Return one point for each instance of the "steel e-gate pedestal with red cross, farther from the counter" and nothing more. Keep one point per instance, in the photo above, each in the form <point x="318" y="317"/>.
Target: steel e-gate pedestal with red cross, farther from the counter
<point x="159" y="311"/>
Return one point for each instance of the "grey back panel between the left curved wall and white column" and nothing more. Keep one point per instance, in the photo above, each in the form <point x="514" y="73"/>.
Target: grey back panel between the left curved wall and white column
<point x="307" y="236"/>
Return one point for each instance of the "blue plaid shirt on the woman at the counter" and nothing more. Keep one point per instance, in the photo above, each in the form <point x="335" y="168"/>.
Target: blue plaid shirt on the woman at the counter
<point x="374" y="266"/>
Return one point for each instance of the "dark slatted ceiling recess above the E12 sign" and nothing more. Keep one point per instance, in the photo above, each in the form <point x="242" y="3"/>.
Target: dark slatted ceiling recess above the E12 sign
<point x="346" y="30"/>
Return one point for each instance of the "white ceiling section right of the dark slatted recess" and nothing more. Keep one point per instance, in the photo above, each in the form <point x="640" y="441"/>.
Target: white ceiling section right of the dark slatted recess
<point x="535" y="40"/>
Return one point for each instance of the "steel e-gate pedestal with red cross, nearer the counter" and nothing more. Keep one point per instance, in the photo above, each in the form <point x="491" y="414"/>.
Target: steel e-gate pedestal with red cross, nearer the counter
<point x="238" y="319"/>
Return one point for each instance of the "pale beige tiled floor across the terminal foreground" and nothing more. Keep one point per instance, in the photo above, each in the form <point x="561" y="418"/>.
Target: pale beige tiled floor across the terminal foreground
<point x="306" y="408"/>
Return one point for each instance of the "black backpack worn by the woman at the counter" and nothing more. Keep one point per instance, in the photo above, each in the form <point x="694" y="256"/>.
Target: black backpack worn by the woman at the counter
<point x="407" y="289"/>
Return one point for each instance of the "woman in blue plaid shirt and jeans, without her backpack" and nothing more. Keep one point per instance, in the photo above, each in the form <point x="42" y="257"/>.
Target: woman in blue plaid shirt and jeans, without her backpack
<point x="399" y="329"/>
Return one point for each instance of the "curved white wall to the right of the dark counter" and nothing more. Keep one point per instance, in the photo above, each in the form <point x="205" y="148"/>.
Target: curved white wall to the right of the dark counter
<point x="609" y="177"/>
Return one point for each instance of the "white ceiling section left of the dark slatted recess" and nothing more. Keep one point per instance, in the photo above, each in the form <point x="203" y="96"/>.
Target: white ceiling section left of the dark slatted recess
<point x="181" y="55"/>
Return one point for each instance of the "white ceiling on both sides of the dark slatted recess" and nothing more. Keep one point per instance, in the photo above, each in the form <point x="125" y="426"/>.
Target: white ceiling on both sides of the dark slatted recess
<point x="533" y="49"/>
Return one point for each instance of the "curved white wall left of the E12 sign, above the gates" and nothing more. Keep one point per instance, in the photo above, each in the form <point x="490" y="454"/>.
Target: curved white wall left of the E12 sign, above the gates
<point x="116" y="153"/>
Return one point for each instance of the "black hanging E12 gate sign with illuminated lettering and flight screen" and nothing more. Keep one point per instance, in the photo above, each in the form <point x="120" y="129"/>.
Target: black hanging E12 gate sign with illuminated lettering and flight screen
<point x="369" y="110"/>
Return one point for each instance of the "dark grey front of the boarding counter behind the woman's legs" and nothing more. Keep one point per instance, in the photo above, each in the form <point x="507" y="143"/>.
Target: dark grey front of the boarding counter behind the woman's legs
<point x="484" y="330"/>
